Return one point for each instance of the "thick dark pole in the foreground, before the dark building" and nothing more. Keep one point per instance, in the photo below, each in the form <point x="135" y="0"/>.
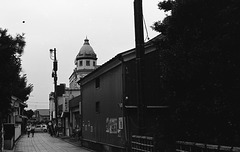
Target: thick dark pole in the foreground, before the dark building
<point x="139" y="40"/>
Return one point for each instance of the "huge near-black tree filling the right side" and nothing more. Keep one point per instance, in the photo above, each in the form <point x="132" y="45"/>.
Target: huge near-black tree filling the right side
<point x="200" y="68"/>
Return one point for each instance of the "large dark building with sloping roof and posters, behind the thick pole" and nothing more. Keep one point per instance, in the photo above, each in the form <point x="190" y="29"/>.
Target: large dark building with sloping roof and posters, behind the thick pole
<point x="110" y="109"/>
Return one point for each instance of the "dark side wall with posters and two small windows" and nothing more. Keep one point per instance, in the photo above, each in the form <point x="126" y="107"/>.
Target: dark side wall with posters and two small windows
<point x="101" y="112"/>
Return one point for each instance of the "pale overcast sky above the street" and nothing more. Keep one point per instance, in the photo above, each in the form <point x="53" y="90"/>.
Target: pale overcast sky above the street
<point x="64" y="24"/>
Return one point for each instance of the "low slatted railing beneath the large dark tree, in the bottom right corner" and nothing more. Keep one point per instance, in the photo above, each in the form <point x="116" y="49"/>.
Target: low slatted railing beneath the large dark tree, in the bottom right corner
<point x="183" y="146"/>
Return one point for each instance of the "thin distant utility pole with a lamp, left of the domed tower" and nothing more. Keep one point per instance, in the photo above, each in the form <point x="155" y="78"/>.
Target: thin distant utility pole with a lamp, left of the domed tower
<point x="54" y="75"/>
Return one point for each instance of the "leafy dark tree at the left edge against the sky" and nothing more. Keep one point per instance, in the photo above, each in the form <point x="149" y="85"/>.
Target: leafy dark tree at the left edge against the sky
<point x="12" y="83"/>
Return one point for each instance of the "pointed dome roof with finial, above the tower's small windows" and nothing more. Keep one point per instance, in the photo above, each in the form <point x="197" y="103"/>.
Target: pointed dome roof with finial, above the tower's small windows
<point x="86" y="51"/>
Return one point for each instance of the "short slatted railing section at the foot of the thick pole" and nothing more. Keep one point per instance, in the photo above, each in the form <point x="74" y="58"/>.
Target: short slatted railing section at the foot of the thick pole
<point x="142" y="144"/>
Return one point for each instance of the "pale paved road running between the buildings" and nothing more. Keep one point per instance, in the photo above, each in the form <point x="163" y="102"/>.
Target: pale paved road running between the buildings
<point x="43" y="142"/>
